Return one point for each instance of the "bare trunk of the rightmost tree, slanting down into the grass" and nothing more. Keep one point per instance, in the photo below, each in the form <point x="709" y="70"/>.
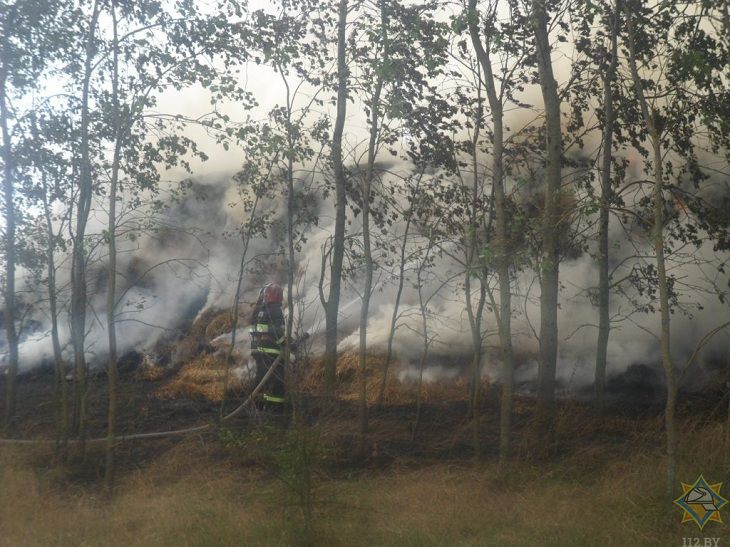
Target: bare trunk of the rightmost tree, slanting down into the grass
<point x="658" y="238"/>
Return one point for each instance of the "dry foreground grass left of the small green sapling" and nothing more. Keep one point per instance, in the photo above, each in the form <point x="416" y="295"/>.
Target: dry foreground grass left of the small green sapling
<point x="200" y="506"/>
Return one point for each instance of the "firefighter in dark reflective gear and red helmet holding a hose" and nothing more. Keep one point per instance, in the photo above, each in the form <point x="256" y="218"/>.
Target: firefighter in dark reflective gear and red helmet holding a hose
<point x="267" y="342"/>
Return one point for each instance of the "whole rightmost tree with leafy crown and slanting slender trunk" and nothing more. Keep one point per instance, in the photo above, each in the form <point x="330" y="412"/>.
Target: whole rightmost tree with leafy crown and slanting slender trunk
<point x="670" y="106"/>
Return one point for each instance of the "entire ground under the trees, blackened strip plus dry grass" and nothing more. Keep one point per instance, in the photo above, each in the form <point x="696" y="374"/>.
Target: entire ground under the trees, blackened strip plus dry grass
<point x="262" y="479"/>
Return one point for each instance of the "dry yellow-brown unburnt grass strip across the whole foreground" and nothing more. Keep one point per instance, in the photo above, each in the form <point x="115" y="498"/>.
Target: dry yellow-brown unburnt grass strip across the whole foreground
<point x="189" y="496"/>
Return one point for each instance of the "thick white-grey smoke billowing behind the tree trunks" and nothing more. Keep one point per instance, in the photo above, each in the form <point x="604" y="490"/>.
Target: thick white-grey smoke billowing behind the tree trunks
<point x="172" y="274"/>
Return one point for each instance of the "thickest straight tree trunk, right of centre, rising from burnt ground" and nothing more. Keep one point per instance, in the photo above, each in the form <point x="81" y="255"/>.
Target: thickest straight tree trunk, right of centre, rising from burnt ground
<point x="549" y="273"/>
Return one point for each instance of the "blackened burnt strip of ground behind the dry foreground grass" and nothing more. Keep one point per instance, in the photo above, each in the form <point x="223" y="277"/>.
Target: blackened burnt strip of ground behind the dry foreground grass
<point x="445" y="432"/>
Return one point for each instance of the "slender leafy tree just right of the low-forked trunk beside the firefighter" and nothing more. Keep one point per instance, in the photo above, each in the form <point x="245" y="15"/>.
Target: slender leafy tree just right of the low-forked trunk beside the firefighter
<point x="395" y="41"/>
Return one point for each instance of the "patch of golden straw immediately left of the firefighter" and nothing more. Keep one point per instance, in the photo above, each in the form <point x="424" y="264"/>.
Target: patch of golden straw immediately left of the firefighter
<point x="201" y="378"/>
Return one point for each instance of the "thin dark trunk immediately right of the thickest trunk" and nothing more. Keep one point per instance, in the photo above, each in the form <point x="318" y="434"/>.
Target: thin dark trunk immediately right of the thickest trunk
<point x="605" y="205"/>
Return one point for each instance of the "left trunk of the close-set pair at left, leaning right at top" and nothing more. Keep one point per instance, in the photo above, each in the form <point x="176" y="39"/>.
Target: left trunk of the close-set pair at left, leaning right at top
<point x="78" y="268"/>
